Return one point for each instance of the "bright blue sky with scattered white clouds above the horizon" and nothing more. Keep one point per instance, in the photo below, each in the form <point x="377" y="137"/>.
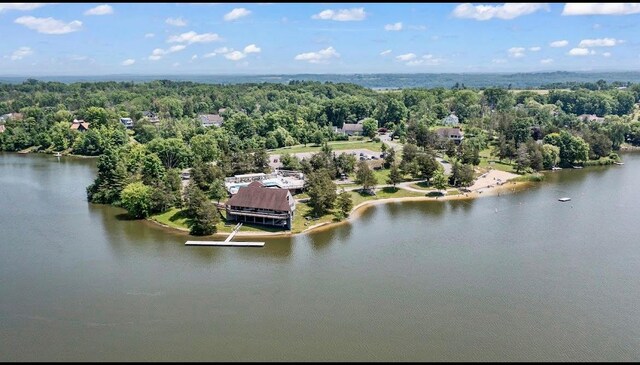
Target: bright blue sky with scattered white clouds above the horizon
<point x="272" y="38"/>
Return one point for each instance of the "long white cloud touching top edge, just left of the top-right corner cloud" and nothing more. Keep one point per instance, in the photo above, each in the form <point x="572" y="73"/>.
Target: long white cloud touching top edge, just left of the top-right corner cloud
<point x="506" y="11"/>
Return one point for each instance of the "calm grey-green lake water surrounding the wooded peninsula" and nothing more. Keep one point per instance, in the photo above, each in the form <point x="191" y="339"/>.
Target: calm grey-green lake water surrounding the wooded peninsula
<point x="517" y="277"/>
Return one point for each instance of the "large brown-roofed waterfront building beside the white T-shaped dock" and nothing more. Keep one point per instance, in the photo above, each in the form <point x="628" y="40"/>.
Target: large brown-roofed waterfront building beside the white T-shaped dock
<point x="258" y="204"/>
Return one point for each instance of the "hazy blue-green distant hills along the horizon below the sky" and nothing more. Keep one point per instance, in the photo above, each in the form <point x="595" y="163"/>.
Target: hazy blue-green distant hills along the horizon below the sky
<point x="375" y="81"/>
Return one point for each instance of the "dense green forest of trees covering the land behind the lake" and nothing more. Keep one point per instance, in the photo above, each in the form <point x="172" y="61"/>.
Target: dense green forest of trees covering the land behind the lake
<point x="536" y="130"/>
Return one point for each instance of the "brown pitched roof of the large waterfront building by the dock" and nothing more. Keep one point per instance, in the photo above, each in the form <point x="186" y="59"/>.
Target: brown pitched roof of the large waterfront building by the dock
<point x="255" y="195"/>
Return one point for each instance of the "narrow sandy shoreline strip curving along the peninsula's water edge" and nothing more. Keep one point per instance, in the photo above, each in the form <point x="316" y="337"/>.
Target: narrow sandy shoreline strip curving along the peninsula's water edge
<point x="358" y="210"/>
